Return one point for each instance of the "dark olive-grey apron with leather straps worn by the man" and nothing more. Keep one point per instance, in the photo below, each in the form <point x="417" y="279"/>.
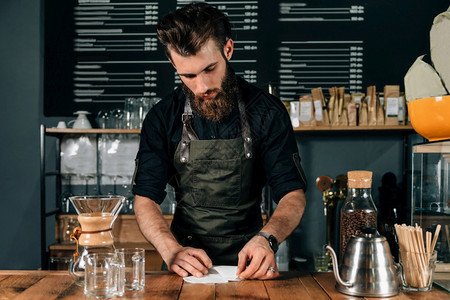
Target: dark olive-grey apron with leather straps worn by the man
<point x="217" y="208"/>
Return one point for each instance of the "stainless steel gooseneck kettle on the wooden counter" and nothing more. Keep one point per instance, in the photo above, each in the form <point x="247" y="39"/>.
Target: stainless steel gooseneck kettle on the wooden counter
<point x="367" y="267"/>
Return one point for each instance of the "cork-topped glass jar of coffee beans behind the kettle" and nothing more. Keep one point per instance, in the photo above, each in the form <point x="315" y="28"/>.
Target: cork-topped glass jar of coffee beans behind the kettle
<point x="358" y="210"/>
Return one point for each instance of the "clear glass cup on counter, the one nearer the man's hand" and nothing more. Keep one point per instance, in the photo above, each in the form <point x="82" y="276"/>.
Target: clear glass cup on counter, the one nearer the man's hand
<point x="133" y="262"/>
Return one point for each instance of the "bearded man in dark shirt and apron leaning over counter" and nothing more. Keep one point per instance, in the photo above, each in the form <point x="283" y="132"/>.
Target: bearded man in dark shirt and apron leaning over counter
<point x="218" y="141"/>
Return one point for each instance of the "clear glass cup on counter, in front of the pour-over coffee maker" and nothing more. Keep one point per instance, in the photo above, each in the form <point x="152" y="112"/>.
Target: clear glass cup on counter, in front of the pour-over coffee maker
<point x="103" y="276"/>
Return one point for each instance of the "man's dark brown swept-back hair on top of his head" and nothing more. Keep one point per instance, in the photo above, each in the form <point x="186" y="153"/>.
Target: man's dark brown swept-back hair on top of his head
<point x="187" y="29"/>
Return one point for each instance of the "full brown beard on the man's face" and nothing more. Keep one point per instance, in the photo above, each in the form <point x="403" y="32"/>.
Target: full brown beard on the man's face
<point x="221" y="106"/>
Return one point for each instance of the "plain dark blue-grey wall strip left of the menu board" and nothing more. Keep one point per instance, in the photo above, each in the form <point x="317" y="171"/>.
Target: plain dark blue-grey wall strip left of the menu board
<point x="20" y="114"/>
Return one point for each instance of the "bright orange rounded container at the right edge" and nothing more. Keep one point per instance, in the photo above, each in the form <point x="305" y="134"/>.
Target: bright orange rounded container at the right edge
<point x="430" y="117"/>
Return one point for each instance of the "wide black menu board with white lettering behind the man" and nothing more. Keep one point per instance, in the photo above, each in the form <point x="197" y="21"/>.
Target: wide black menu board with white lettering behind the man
<point x="99" y="52"/>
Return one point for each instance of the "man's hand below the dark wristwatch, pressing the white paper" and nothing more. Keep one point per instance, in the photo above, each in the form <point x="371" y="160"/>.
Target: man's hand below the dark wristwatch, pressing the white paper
<point x="262" y="260"/>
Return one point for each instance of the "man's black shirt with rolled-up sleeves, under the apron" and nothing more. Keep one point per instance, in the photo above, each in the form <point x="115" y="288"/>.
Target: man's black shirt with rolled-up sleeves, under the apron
<point x="274" y="145"/>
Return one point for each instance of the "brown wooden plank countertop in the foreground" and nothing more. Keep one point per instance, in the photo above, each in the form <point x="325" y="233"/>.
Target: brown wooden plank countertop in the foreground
<point x="163" y="285"/>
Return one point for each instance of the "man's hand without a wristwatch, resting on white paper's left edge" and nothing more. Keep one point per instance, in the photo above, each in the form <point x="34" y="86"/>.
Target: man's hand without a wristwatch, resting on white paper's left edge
<point x="187" y="260"/>
